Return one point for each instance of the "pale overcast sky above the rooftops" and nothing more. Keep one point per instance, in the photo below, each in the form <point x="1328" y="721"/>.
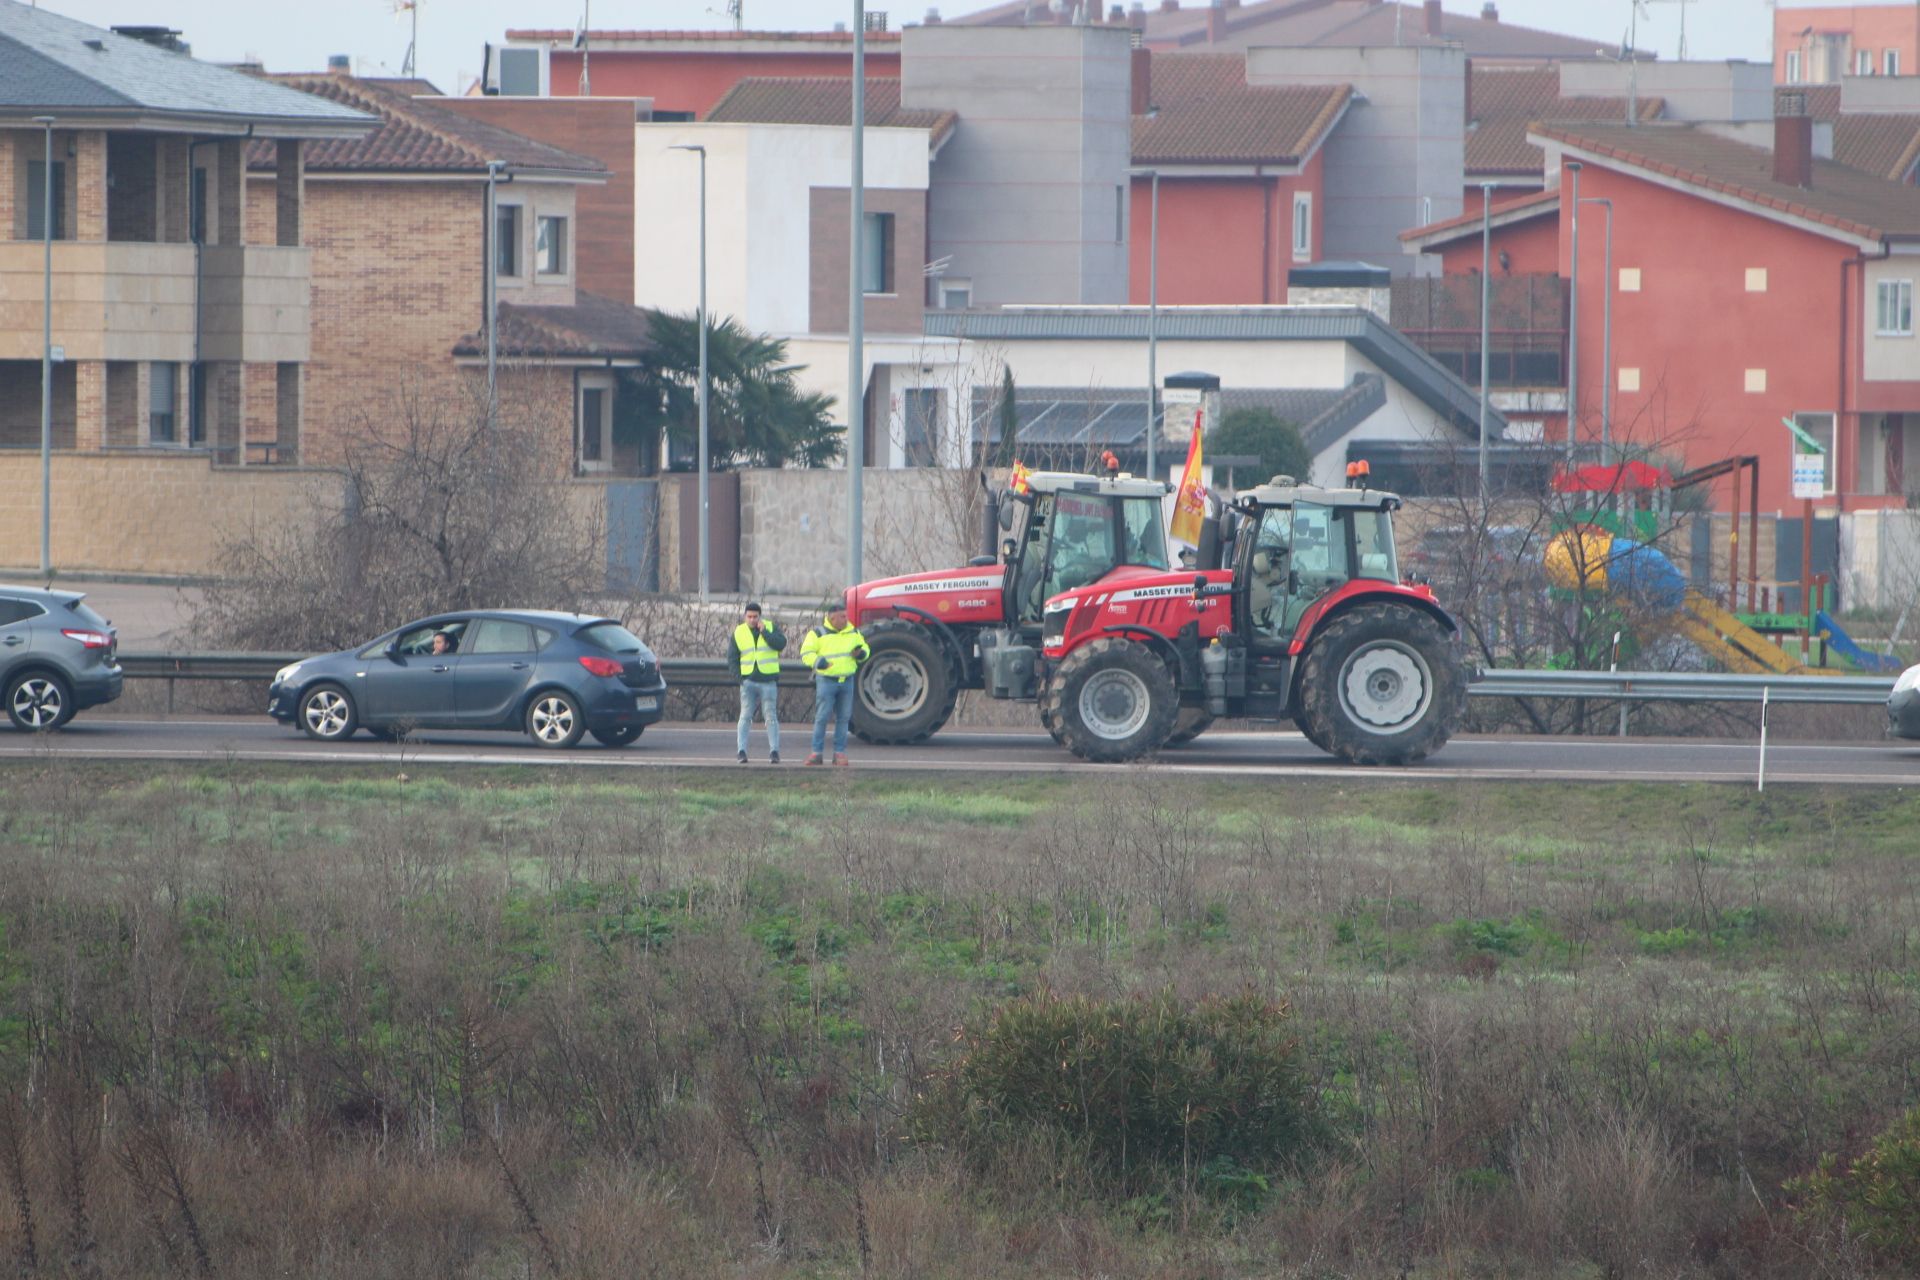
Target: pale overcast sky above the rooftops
<point x="299" y="36"/>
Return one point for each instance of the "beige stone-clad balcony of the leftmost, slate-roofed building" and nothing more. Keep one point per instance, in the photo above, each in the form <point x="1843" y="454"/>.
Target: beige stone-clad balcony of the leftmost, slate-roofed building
<point x="118" y="300"/>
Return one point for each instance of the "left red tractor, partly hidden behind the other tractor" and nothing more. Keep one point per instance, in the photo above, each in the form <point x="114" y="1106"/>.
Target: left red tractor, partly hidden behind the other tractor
<point x="980" y="627"/>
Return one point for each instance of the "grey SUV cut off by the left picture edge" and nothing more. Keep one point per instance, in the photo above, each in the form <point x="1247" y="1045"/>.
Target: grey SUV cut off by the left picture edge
<point x="57" y="657"/>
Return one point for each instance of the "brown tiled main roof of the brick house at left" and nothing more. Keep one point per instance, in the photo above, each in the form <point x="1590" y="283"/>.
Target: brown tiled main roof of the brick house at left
<point x="414" y="137"/>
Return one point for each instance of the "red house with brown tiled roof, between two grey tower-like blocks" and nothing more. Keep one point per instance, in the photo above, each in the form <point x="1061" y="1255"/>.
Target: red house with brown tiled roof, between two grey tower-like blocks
<point x="1241" y="179"/>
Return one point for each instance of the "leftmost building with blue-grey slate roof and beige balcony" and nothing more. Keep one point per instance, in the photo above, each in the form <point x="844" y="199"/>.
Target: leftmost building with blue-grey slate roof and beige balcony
<point x="181" y="316"/>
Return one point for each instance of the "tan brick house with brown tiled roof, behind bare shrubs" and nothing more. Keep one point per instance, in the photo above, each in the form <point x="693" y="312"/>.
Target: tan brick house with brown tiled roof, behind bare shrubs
<point x="398" y="225"/>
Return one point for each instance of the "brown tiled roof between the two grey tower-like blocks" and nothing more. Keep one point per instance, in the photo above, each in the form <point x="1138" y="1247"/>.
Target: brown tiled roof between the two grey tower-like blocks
<point x="1209" y="114"/>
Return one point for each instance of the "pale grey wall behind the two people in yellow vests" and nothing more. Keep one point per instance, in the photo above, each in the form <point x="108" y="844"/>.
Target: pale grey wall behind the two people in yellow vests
<point x="794" y="527"/>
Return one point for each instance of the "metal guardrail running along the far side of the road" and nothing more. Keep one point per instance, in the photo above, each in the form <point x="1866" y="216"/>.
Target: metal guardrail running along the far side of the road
<point x="1495" y="682"/>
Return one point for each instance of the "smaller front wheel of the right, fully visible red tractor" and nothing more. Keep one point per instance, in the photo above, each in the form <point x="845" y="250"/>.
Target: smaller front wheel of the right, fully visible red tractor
<point x="1113" y="701"/>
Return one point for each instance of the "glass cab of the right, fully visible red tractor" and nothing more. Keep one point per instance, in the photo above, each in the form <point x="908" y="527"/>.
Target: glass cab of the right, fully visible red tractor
<point x="1295" y="546"/>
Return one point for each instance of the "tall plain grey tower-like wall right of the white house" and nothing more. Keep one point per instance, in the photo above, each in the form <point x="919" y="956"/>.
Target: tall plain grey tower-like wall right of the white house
<point x="1024" y="195"/>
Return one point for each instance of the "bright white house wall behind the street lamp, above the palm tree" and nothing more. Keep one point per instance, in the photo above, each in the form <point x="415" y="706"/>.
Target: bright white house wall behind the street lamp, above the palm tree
<point x="759" y="181"/>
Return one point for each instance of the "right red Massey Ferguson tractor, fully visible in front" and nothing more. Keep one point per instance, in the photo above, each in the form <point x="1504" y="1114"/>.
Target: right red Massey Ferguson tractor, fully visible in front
<point x="1299" y="613"/>
